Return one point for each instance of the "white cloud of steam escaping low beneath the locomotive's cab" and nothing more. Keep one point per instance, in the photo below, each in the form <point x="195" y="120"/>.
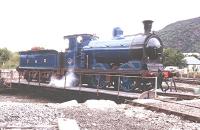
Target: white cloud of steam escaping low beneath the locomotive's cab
<point x="71" y="80"/>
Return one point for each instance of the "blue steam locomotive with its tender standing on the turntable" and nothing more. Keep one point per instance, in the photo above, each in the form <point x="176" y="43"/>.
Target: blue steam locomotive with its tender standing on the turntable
<point x="123" y="61"/>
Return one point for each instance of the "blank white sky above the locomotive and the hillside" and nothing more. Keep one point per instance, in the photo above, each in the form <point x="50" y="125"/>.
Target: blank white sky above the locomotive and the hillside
<point x="28" y="23"/>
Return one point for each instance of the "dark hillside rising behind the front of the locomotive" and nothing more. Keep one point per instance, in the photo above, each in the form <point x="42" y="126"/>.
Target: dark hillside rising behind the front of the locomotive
<point x="183" y="35"/>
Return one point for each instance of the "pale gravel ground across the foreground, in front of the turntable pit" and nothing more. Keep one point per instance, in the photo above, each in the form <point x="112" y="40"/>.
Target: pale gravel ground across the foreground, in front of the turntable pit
<point x="89" y="116"/>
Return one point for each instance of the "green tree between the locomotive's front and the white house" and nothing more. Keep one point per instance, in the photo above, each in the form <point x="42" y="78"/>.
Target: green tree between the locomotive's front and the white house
<point x="173" y="57"/>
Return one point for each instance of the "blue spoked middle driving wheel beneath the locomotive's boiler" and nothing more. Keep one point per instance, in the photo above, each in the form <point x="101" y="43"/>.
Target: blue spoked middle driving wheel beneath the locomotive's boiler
<point x="127" y="84"/>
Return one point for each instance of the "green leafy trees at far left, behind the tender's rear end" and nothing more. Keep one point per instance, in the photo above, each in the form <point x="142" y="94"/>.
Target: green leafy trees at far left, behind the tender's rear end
<point x="8" y="59"/>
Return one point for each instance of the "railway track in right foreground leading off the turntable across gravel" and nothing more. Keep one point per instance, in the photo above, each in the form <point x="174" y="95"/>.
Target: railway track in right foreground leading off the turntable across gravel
<point x="188" y="112"/>
